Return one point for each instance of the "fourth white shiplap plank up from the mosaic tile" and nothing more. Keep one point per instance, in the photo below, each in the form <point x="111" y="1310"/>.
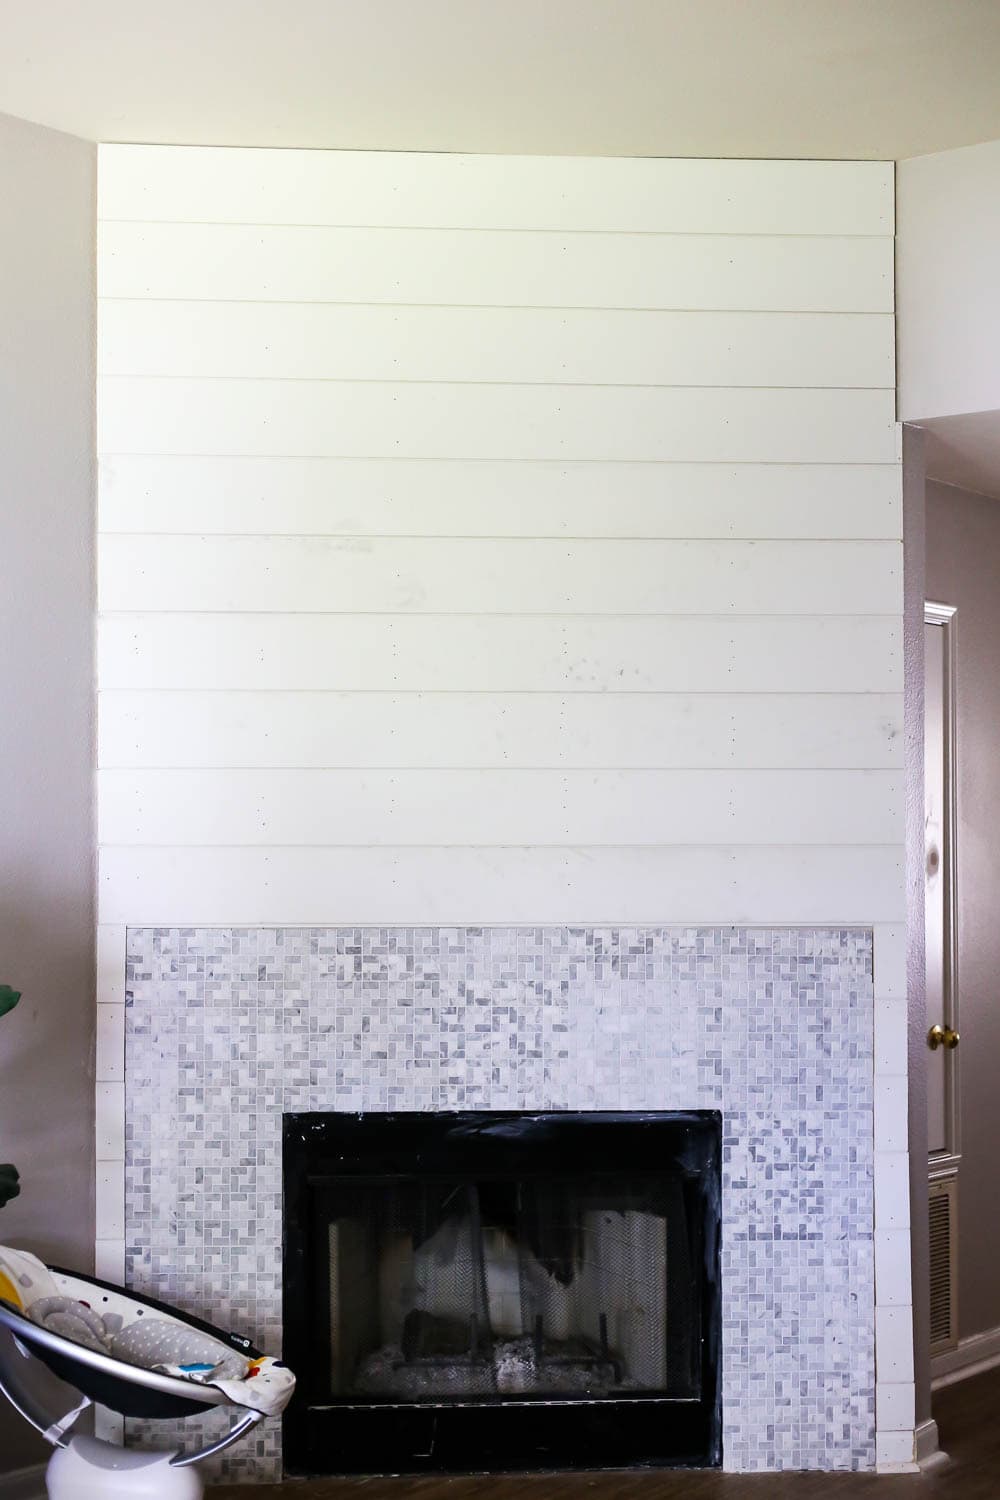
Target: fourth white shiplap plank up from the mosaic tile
<point x="579" y="655"/>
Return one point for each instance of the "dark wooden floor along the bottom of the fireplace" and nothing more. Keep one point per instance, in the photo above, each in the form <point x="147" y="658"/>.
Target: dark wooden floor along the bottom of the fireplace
<point x="968" y="1417"/>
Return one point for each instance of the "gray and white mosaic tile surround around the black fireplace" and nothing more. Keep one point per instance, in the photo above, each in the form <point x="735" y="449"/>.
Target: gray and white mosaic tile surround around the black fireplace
<point x="227" y="1030"/>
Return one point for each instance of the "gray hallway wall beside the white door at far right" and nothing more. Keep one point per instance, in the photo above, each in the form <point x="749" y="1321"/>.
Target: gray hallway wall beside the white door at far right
<point x="963" y="569"/>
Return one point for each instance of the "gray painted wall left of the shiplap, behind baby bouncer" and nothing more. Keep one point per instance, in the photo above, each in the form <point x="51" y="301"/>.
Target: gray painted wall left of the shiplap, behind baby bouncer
<point x="47" y="839"/>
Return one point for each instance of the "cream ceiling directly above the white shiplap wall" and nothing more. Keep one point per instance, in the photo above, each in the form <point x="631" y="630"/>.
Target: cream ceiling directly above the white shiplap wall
<point x="809" y="79"/>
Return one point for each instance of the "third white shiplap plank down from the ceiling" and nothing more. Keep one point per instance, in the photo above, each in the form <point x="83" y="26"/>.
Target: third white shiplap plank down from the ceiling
<point x="536" y="346"/>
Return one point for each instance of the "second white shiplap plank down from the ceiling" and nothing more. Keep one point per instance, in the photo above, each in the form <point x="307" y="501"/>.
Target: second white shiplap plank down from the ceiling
<point x="260" y="263"/>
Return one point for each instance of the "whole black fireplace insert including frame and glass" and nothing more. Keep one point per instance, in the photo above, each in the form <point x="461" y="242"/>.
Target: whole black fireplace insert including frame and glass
<point x="501" y="1291"/>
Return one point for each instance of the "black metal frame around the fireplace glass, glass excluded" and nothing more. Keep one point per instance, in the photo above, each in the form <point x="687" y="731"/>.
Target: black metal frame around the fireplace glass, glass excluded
<point x="512" y="1433"/>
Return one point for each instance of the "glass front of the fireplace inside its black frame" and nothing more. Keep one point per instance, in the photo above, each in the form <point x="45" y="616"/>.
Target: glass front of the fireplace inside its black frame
<point x="528" y="1286"/>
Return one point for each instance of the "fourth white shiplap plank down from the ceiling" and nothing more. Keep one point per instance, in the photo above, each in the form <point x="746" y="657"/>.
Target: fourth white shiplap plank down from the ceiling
<point x="504" y="422"/>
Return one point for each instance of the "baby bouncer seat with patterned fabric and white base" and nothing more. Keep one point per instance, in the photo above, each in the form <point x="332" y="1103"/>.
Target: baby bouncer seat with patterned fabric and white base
<point x="134" y="1357"/>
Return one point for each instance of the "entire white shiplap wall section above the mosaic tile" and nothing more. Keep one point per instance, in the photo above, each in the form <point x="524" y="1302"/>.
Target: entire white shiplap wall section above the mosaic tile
<point x="493" y="539"/>
